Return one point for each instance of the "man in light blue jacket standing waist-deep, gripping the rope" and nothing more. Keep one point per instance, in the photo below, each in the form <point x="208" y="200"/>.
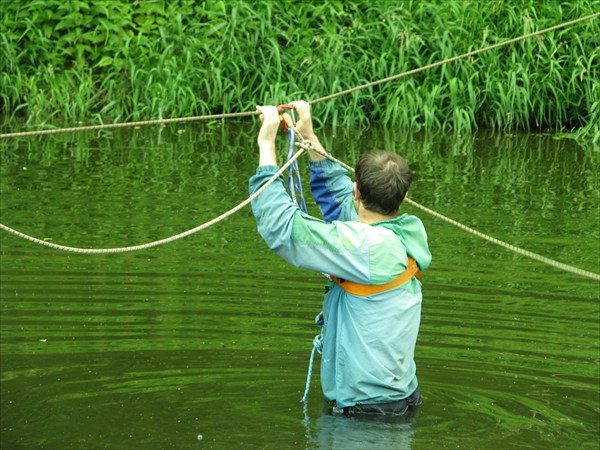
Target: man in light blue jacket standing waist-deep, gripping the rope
<point x="374" y="255"/>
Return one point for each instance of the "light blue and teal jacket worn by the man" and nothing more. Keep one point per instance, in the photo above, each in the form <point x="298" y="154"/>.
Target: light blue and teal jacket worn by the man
<point x="368" y="342"/>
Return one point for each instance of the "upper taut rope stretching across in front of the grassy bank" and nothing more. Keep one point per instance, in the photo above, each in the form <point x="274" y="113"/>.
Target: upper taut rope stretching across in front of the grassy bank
<point x="318" y="100"/>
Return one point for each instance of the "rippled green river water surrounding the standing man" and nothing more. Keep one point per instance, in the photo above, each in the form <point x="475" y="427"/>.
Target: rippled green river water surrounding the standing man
<point x="204" y="343"/>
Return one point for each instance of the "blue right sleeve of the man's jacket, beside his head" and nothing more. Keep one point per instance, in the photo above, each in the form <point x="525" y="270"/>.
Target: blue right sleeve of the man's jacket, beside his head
<point x="332" y="190"/>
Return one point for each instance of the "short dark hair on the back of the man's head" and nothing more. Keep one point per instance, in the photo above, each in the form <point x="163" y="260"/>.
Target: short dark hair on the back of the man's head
<point x="383" y="178"/>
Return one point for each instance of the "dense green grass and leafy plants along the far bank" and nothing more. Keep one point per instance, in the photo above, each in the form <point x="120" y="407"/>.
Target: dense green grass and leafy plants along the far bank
<point x="93" y="61"/>
